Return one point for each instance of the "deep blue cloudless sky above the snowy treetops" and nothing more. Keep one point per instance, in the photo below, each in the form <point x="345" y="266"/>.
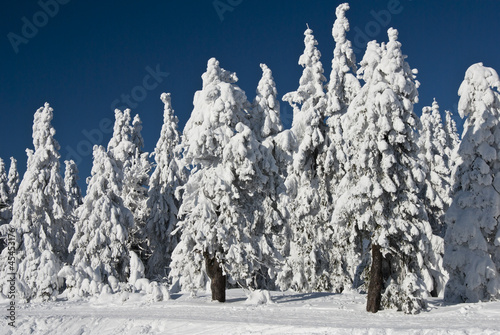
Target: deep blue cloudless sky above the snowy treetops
<point x="92" y="52"/>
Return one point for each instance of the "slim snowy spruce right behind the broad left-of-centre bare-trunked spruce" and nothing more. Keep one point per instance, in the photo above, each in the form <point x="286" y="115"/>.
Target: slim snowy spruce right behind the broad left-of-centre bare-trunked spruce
<point x="268" y="221"/>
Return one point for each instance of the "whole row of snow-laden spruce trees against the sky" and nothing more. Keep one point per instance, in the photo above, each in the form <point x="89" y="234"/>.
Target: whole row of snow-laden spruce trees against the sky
<point x="359" y="194"/>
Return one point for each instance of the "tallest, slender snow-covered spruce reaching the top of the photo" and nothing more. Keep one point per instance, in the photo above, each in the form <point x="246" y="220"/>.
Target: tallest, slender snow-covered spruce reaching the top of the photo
<point x="342" y="87"/>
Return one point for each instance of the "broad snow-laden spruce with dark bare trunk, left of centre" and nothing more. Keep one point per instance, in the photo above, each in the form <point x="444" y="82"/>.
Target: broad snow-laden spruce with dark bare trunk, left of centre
<point x="215" y="218"/>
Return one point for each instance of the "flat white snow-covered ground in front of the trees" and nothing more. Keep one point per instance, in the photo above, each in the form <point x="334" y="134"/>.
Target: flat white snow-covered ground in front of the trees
<point x="289" y="313"/>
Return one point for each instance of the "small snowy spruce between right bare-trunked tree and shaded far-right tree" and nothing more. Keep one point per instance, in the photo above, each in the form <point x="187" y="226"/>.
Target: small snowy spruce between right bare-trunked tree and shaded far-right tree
<point x="432" y="146"/>
